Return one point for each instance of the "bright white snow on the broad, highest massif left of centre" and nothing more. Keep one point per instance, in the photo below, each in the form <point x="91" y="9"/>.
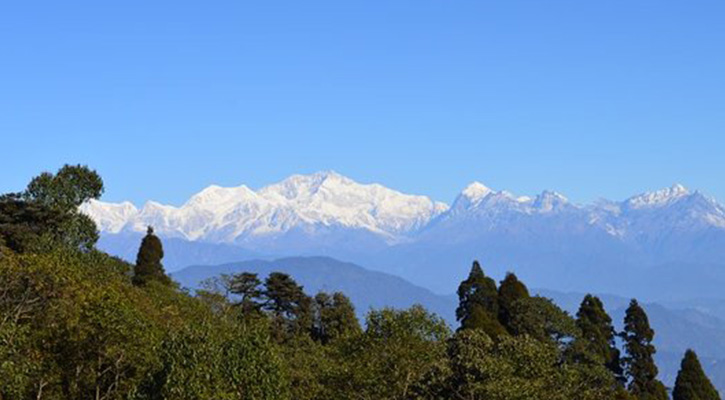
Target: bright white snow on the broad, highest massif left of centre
<point x="228" y="215"/>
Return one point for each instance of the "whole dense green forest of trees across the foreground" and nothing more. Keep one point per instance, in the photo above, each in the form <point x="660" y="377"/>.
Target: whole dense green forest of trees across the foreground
<point x="76" y="323"/>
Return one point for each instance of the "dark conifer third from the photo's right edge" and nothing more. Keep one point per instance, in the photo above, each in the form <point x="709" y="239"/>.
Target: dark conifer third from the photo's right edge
<point x="597" y="336"/>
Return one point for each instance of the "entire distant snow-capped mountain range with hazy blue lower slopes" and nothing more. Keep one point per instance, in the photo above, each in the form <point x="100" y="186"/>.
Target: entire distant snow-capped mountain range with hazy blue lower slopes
<point x="663" y="245"/>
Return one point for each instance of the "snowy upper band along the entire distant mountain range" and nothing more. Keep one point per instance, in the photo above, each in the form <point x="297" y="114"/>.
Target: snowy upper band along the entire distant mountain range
<point x="328" y="202"/>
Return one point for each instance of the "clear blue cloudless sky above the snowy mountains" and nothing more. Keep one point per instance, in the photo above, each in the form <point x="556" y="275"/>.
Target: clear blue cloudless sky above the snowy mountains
<point x="594" y="99"/>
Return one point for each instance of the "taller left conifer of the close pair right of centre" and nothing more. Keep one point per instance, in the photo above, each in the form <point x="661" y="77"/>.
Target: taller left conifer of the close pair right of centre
<point x="478" y="303"/>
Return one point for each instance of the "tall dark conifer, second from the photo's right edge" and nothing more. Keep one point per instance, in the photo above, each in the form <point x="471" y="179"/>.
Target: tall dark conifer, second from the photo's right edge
<point x="640" y="366"/>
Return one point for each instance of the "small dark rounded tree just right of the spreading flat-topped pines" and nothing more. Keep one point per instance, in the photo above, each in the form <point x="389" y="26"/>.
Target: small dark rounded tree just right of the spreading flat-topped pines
<point x="335" y="317"/>
